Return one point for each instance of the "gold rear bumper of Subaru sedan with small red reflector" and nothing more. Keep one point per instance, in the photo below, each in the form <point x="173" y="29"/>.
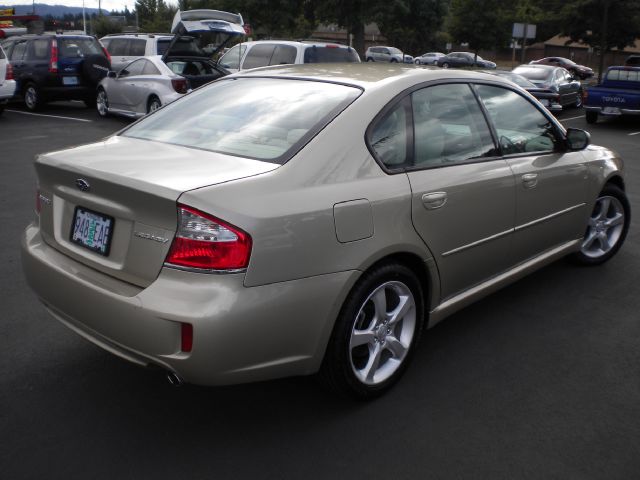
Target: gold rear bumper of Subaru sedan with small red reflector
<point x="239" y="334"/>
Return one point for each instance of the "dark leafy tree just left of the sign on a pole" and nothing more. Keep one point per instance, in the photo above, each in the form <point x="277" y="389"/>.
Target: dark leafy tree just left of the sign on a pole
<point x="483" y="24"/>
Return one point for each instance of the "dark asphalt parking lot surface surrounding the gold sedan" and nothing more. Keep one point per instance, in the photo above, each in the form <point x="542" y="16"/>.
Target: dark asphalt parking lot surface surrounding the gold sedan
<point x="539" y="380"/>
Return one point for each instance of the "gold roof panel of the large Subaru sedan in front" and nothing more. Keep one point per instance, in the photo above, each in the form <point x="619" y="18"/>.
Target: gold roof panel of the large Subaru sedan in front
<point x="365" y="75"/>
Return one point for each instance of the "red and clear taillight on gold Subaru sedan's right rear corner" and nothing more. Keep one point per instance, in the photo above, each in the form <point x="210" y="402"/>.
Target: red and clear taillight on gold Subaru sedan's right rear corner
<point x="204" y="242"/>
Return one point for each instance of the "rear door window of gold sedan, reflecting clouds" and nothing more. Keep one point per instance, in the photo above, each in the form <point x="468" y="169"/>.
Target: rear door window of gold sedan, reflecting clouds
<point x="449" y="127"/>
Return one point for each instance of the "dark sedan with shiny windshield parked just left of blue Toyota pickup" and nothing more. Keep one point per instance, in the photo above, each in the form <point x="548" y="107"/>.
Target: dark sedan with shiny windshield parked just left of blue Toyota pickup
<point x="567" y="90"/>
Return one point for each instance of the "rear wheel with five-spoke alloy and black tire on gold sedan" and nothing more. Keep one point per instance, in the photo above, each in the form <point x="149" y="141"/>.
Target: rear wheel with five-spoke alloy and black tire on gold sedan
<point x="340" y="368"/>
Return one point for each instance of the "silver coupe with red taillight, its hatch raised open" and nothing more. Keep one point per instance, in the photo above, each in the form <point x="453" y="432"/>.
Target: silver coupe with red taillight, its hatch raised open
<point x="141" y="87"/>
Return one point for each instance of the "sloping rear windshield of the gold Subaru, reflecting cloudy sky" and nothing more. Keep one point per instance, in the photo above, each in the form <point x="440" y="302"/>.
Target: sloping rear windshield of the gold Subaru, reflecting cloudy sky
<point x="260" y="118"/>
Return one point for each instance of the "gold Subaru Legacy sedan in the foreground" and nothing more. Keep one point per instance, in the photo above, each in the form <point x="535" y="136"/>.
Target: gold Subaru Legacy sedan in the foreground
<point x="313" y="219"/>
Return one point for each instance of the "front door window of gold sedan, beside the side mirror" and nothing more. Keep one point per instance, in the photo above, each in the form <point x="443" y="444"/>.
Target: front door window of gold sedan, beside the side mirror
<point x="520" y="126"/>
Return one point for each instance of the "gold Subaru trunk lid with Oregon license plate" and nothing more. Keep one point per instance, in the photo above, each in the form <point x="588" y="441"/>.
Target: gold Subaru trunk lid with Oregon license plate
<point x="128" y="197"/>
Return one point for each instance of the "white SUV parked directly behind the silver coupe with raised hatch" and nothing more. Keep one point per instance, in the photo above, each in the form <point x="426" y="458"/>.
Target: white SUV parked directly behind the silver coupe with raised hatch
<point x="126" y="47"/>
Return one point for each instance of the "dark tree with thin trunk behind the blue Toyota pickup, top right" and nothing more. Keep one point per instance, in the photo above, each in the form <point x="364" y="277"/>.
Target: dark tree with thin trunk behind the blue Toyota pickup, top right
<point x="602" y="24"/>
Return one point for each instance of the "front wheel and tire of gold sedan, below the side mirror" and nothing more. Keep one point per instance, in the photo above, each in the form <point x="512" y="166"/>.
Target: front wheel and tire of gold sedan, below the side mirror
<point x="607" y="227"/>
